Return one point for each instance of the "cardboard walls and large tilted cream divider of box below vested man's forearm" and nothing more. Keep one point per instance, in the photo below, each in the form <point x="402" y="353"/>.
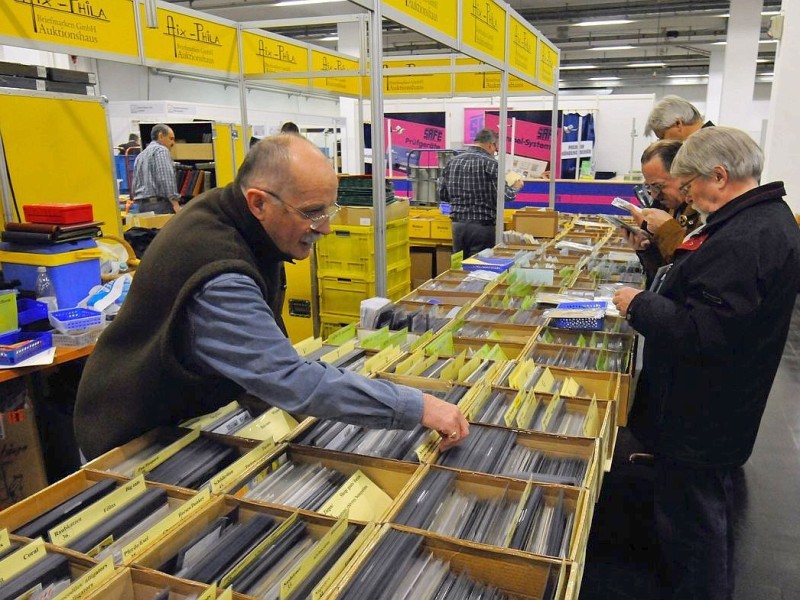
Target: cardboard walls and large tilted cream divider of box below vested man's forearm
<point x="371" y="488"/>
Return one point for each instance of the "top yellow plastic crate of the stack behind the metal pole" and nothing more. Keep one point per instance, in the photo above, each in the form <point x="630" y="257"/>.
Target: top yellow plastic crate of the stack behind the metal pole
<point x="349" y="251"/>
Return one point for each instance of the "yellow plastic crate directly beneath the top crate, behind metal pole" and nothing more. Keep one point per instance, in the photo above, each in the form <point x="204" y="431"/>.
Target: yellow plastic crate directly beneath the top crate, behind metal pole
<point x="343" y="296"/>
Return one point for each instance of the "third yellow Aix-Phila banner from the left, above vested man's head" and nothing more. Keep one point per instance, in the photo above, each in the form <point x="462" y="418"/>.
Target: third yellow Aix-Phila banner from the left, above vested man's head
<point x="264" y="54"/>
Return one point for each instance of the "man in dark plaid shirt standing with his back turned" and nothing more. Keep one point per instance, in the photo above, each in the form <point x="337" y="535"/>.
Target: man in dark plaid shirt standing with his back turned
<point x="469" y="184"/>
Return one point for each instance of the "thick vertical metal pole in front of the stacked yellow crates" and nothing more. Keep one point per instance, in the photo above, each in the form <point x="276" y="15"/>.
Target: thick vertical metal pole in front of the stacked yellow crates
<point x="378" y="175"/>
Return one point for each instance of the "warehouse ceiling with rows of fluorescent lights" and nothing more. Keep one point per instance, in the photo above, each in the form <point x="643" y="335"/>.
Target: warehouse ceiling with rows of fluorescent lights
<point x="661" y="42"/>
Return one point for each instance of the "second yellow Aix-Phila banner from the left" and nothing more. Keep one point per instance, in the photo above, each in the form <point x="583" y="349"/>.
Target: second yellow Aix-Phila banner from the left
<point x="191" y="41"/>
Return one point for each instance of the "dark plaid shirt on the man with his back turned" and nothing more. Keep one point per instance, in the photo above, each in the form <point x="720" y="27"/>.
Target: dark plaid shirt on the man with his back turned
<point x="469" y="184"/>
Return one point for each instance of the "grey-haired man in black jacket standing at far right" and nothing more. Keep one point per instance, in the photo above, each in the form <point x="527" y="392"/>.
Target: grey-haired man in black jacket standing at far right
<point x="714" y="324"/>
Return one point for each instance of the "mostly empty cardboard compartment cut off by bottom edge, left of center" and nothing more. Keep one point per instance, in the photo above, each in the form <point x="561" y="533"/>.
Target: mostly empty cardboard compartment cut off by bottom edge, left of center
<point x="140" y="584"/>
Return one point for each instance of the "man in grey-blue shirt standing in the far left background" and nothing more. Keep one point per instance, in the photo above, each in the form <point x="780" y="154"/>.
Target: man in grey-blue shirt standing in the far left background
<point x="154" y="185"/>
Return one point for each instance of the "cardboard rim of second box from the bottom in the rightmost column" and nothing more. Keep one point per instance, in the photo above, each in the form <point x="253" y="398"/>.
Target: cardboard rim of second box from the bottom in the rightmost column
<point x="488" y="487"/>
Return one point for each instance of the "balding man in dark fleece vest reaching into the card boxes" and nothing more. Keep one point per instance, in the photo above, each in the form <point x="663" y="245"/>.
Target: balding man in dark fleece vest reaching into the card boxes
<point x="201" y="323"/>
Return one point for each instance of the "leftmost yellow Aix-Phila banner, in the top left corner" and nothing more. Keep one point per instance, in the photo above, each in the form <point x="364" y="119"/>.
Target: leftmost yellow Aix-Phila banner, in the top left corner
<point x="99" y="26"/>
